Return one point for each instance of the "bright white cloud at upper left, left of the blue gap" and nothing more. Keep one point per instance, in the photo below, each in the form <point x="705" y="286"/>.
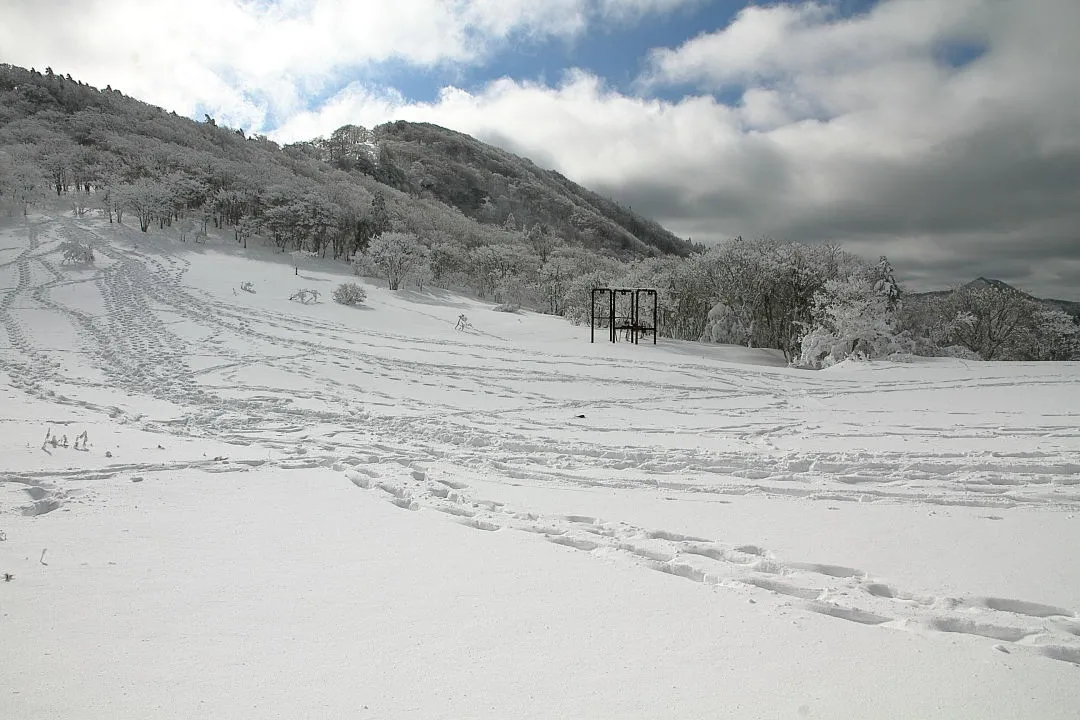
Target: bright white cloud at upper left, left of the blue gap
<point x="248" y="61"/>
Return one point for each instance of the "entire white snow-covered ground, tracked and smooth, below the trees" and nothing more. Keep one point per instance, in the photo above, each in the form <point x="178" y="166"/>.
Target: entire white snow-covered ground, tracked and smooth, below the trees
<point x="294" y="511"/>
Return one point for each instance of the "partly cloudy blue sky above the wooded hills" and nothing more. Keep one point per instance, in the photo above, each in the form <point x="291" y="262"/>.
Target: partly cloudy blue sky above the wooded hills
<point x="942" y="133"/>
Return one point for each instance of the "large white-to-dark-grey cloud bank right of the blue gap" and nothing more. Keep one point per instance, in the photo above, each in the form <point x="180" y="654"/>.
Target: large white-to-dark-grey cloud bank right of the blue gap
<point x="847" y="131"/>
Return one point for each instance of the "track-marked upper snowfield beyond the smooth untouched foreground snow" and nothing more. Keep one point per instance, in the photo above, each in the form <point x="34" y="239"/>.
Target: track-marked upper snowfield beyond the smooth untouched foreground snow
<point x="629" y="455"/>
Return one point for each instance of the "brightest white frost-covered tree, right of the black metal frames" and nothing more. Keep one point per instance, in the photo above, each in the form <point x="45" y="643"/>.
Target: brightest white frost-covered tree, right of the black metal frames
<point x="852" y="317"/>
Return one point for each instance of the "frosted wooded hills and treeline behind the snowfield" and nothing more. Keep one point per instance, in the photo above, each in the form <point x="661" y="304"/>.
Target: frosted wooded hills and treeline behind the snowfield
<point x="418" y="206"/>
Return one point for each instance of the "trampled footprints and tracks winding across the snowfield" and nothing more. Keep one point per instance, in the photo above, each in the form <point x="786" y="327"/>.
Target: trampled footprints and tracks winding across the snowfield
<point x="395" y="427"/>
